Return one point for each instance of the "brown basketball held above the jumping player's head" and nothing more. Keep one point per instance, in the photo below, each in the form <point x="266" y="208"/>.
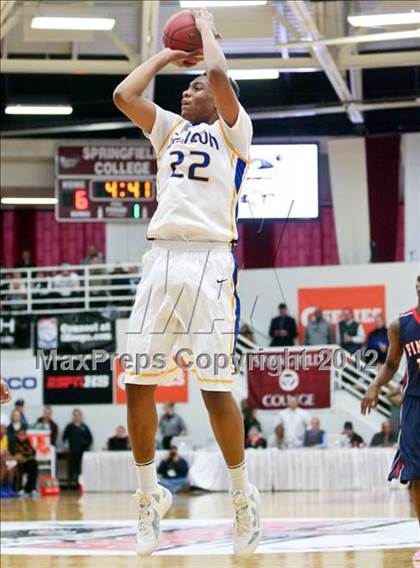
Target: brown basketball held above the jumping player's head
<point x="180" y="32"/>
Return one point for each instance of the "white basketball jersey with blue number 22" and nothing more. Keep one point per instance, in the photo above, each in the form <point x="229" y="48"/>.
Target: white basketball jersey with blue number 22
<point x="200" y="171"/>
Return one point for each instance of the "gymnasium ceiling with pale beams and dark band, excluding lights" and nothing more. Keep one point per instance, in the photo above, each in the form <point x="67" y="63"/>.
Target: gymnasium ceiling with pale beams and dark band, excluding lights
<point x="346" y="85"/>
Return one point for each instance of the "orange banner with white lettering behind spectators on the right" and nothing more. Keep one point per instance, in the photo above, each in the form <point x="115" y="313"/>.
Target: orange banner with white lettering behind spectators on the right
<point x="366" y="301"/>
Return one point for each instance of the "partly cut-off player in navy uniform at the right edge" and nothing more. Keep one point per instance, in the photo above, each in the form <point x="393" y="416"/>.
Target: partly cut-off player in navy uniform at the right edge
<point x="404" y="336"/>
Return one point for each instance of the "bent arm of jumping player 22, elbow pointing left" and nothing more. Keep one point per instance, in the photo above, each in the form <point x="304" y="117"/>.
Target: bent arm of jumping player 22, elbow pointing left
<point x="128" y="94"/>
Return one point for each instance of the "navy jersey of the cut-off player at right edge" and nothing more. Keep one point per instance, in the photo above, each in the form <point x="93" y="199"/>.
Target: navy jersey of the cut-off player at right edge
<point x="410" y="340"/>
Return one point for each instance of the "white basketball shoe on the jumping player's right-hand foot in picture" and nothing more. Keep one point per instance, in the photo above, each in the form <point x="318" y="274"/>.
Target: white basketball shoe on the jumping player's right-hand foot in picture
<point x="247" y="526"/>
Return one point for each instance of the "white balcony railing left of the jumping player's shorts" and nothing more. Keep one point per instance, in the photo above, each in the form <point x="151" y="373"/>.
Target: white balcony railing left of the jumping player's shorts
<point x="52" y="289"/>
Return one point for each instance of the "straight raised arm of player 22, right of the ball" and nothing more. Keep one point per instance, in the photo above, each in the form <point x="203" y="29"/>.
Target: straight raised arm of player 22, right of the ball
<point x="216" y="67"/>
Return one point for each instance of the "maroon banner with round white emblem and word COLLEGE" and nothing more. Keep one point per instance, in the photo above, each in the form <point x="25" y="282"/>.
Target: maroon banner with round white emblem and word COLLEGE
<point x="274" y="375"/>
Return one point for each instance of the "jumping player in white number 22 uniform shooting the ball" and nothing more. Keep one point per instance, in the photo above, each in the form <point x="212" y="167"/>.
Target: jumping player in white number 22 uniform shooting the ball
<point x="187" y="296"/>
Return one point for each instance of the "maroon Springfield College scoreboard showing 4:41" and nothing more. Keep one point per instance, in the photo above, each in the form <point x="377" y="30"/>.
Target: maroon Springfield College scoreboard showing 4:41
<point x="106" y="182"/>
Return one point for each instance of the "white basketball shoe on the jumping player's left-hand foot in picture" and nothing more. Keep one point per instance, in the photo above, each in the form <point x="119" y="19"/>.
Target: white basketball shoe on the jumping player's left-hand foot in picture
<point x="152" y="508"/>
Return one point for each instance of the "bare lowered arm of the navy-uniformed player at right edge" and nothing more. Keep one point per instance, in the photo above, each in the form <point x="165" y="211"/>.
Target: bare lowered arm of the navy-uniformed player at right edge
<point x="388" y="369"/>
